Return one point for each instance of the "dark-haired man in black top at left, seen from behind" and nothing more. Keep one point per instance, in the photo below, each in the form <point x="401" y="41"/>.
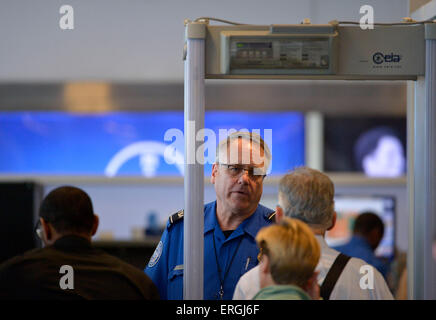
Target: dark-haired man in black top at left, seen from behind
<point x="68" y="267"/>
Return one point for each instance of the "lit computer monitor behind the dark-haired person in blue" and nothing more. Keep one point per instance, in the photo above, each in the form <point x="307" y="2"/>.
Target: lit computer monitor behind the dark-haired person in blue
<point x="348" y="207"/>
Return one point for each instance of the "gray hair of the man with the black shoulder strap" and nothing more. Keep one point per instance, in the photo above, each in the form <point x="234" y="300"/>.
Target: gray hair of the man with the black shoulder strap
<point x="308" y="195"/>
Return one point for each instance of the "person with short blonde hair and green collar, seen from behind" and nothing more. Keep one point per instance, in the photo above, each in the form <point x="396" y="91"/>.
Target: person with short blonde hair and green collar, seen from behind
<point x="289" y="254"/>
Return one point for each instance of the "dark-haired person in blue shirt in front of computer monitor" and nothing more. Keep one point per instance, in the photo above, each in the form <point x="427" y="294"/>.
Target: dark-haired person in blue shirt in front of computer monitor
<point x="367" y="233"/>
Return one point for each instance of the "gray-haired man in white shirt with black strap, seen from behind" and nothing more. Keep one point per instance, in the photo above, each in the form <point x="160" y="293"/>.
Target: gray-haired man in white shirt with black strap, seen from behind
<point x="307" y="194"/>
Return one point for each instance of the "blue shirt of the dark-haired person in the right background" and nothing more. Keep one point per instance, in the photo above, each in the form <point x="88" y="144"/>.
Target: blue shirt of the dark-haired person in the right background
<point x="358" y="247"/>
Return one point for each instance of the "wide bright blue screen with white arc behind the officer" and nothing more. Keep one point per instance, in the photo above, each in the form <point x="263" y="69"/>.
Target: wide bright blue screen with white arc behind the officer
<point x="129" y="143"/>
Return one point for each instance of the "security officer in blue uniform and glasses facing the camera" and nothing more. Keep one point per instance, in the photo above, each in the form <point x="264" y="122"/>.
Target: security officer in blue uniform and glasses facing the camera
<point x="230" y="223"/>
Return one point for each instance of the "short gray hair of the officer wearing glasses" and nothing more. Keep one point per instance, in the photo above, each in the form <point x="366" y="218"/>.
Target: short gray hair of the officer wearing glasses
<point x="223" y="146"/>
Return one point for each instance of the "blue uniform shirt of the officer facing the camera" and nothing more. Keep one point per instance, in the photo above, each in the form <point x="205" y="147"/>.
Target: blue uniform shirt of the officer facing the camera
<point x="165" y="267"/>
